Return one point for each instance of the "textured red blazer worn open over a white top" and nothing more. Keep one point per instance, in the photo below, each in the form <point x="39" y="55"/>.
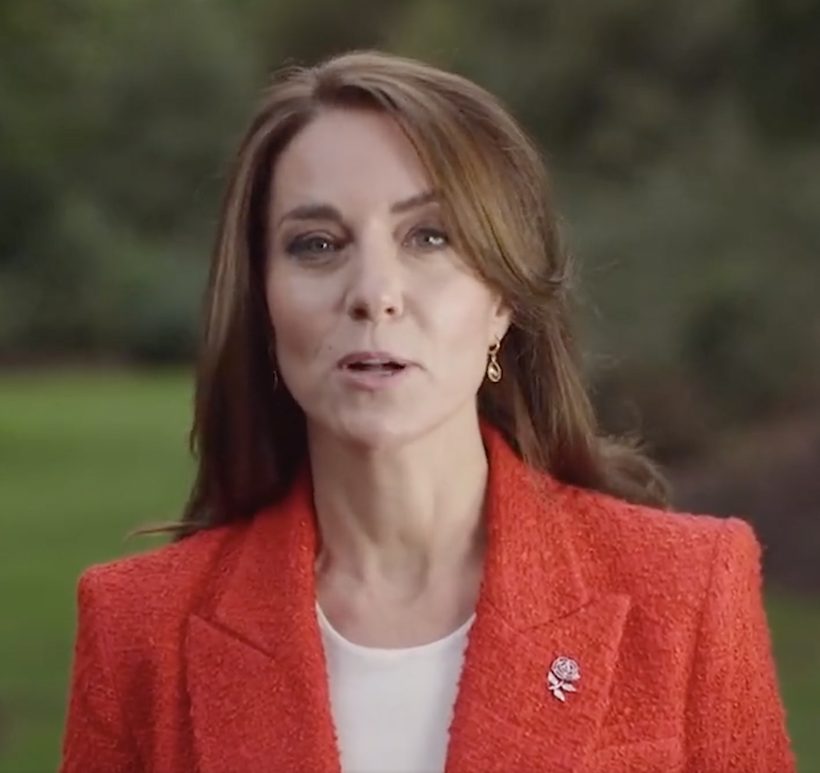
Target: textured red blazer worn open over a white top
<point x="205" y="655"/>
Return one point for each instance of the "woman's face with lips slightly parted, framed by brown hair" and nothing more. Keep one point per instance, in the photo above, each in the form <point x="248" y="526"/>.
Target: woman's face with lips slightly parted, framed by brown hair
<point x="381" y="329"/>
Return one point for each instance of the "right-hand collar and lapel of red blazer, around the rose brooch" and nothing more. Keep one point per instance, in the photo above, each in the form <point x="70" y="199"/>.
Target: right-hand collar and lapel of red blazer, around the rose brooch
<point x="533" y="607"/>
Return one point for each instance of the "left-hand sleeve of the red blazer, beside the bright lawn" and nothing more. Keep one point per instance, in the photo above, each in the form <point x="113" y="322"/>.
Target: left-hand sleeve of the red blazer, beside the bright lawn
<point x="95" y="737"/>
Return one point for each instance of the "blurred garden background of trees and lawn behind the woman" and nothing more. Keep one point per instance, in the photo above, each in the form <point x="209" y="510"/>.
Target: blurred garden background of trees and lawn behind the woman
<point x="684" y="141"/>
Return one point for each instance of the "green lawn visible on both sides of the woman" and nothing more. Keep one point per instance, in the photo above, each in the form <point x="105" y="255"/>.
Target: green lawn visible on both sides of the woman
<point x="84" y="458"/>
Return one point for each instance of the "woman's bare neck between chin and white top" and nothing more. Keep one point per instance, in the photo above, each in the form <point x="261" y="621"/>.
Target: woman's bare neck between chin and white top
<point x="404" y="516"/>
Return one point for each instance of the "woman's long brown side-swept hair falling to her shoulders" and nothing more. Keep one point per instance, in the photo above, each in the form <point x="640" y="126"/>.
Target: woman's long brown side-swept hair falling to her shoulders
<point x="249" y="436"/>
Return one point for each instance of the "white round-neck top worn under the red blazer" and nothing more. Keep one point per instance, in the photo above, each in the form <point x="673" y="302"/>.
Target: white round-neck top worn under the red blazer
<point x="392" y="707"/>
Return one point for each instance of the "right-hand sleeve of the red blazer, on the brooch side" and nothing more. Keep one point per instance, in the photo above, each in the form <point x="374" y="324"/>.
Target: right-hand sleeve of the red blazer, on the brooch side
<point x="735" y="719"/>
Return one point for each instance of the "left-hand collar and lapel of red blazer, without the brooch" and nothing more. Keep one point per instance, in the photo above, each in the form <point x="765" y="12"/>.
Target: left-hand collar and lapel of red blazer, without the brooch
<point x="255" y="666"/>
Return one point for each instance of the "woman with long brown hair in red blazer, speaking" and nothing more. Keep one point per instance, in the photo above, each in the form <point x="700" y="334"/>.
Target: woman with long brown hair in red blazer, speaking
<point x="407" y="548"/>
